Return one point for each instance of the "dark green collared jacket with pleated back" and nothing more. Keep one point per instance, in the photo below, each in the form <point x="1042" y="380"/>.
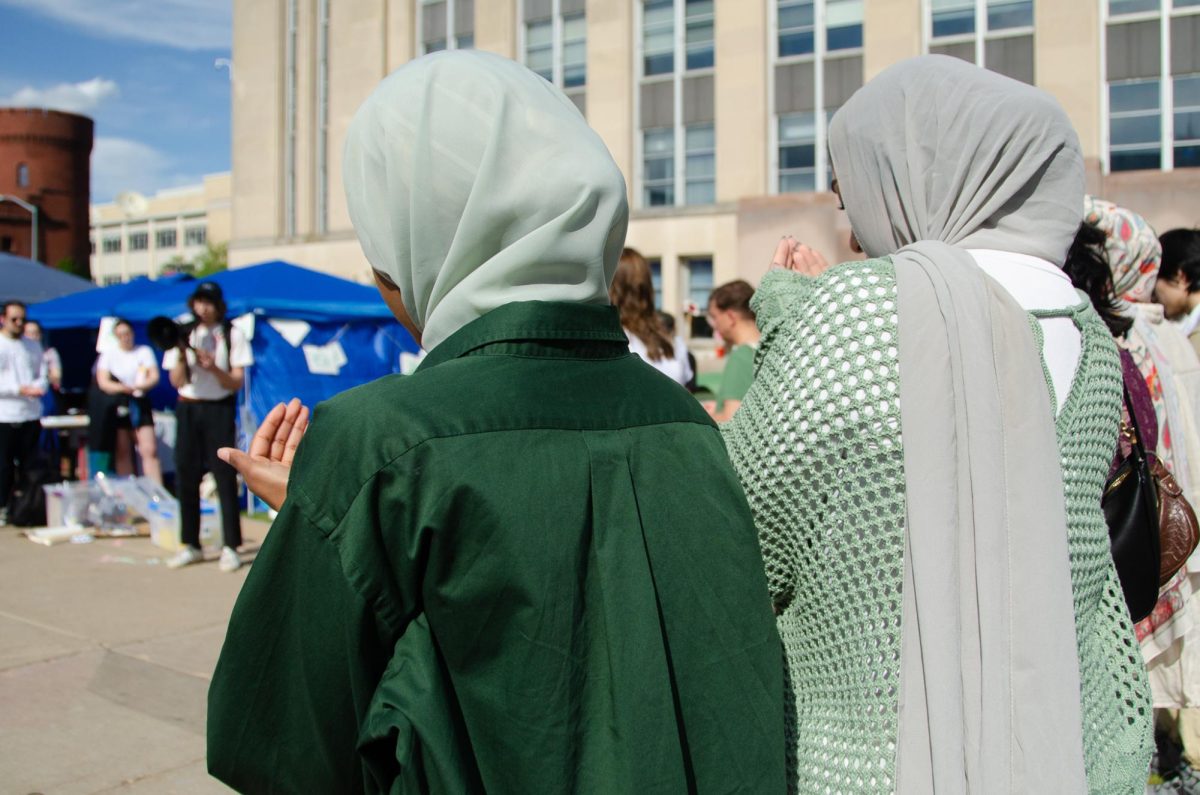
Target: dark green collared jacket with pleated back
<point x="526" y="569"/>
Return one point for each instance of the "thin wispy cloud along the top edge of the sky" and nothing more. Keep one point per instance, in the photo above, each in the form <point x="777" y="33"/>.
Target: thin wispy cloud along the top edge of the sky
<point x="183" y="25"/>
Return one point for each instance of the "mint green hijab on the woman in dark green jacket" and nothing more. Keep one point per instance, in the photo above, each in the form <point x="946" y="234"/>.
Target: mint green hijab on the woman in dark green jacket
<point x="473" y="183"/>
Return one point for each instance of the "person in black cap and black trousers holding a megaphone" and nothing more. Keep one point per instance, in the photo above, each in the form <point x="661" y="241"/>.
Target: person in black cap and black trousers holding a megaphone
<point x="208" y="378"/>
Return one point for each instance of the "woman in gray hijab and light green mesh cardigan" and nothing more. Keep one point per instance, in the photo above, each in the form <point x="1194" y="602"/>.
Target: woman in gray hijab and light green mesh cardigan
<point x="925" y="450"/>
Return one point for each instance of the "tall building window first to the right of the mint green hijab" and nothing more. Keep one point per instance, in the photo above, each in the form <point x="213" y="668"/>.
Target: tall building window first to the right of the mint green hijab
<point x="676" y="104"/>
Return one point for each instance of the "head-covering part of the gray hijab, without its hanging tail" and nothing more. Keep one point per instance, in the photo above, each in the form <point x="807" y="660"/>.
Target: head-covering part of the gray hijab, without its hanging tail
<point x="938" y="150"/>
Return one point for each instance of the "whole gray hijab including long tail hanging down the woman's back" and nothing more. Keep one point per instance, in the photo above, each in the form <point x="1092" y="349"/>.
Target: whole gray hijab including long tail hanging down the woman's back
<point x="934" y="157"/>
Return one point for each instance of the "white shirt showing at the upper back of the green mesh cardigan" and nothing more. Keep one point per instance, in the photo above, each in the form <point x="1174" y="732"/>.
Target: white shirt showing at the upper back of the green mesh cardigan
<point x="1037" y="284"/>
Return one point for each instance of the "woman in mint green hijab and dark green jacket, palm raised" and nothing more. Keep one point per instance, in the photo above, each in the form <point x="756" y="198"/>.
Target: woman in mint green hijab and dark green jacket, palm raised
<point x="529" y="567"/>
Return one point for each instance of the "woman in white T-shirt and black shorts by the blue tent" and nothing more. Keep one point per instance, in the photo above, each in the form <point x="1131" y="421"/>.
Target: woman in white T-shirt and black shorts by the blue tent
<point x="131" y="372"/>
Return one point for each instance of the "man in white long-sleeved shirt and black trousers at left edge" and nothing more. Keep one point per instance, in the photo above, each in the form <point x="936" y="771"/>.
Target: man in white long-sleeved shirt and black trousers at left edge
<point x="22" y="385"/>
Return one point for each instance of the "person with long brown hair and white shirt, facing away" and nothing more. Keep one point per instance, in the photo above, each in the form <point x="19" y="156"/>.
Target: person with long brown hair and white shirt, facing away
<point x="633" y="295"/>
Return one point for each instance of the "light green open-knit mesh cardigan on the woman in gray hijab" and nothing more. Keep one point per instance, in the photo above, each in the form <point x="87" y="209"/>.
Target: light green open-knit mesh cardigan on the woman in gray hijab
<point x="818" y="447"/>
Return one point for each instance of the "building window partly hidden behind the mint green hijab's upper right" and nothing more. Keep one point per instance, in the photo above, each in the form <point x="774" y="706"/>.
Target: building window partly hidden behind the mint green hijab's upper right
<point x="556" y="44"/>
